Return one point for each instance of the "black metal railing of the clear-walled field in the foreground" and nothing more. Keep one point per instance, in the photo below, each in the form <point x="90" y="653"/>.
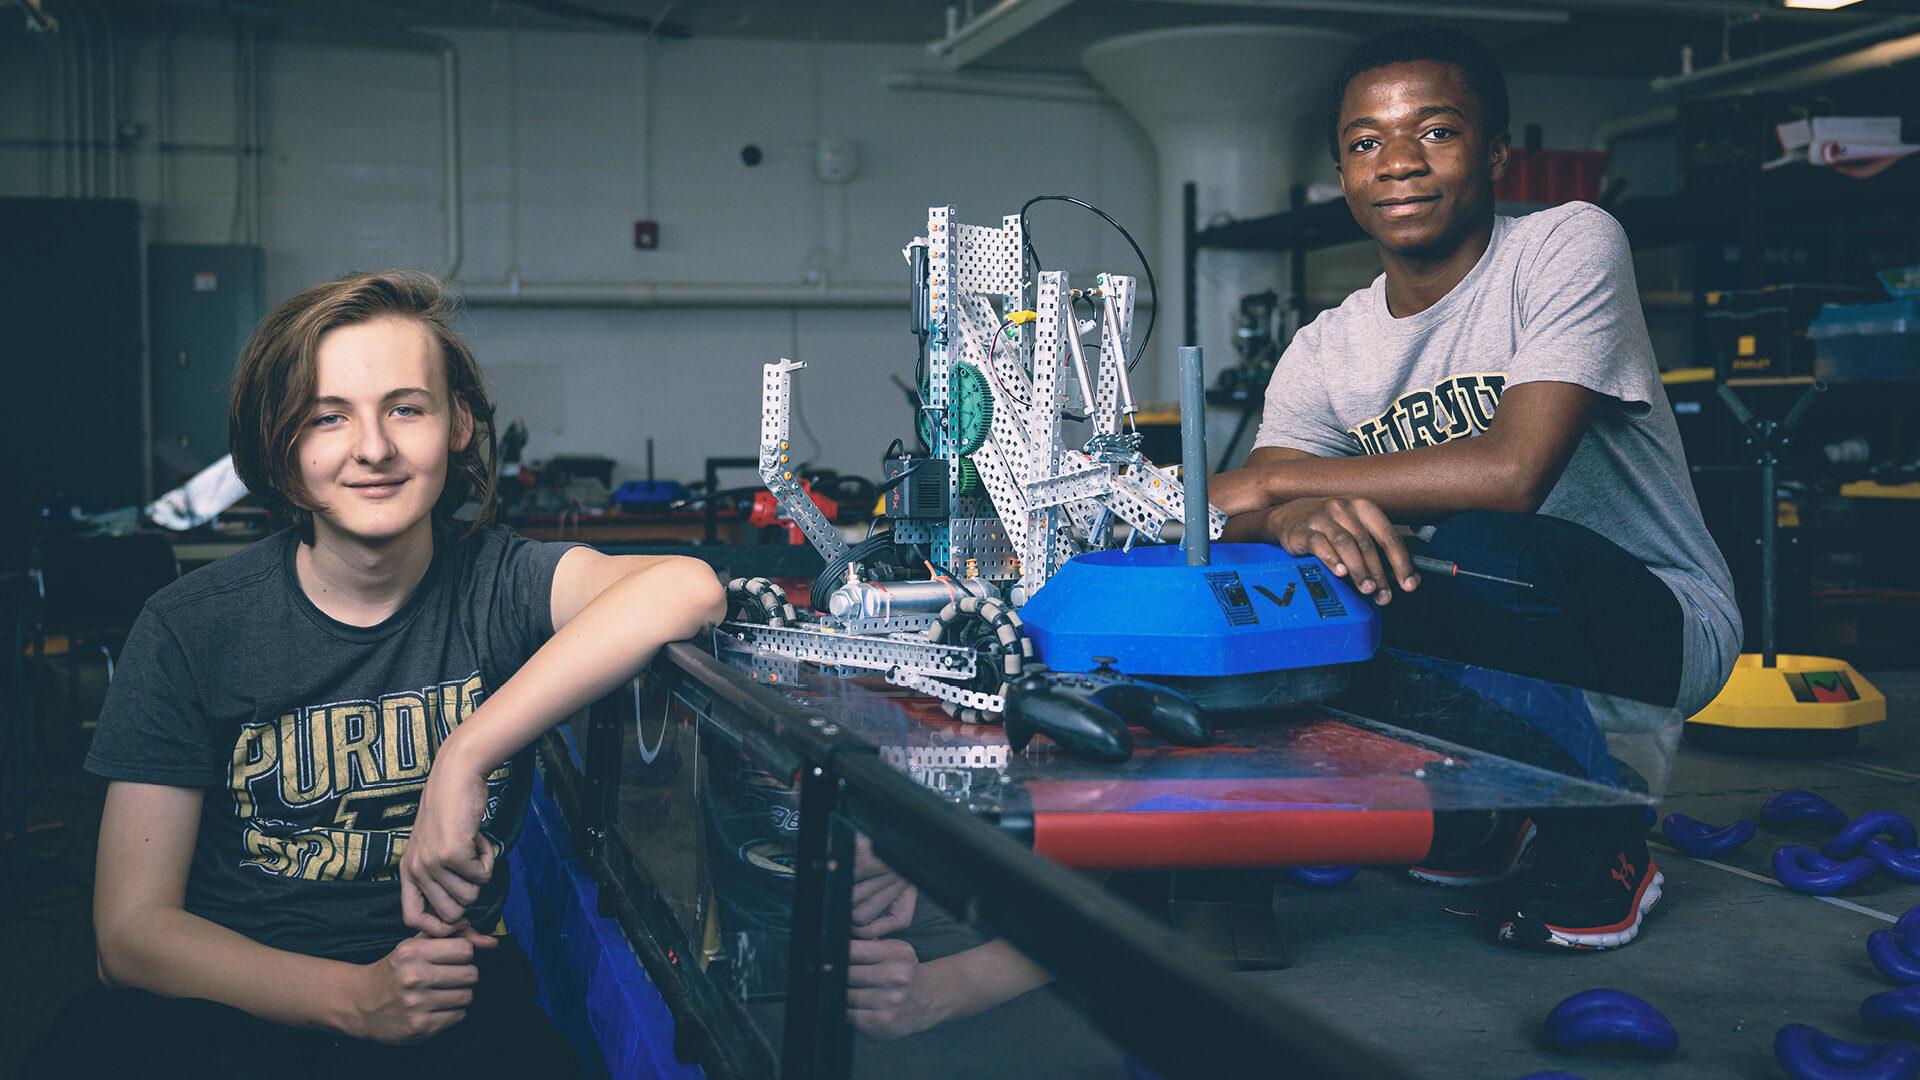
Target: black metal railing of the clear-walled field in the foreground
<point x="1182" y="1014"/>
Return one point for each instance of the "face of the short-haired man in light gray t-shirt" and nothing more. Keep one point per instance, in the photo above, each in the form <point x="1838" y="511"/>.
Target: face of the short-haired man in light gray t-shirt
<point x="1416" y="162"/>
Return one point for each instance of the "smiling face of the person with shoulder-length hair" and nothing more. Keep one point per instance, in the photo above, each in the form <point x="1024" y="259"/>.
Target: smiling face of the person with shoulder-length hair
<point x="383" y="426"/>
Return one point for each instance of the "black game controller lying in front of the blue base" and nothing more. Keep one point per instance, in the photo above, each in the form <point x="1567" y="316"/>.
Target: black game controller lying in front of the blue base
<point x="1090" y="714"/>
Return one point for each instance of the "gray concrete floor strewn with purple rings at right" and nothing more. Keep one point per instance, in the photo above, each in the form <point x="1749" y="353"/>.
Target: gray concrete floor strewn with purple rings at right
<point x="1729" y="956"/>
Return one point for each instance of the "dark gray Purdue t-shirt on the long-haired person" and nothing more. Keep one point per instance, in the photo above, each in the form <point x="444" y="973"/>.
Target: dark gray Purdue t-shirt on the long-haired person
<point x="314" y="739"/>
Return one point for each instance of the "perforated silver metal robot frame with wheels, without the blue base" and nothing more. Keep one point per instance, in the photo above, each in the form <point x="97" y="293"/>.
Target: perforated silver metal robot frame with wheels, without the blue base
<point x="1019" y="503"/>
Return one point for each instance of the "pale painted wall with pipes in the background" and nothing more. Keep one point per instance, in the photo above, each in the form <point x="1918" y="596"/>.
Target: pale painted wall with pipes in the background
<point x="567" y="141"/>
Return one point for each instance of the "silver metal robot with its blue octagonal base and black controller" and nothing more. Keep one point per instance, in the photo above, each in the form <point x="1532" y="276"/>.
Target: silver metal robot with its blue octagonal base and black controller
<point x="1015" y="543"/>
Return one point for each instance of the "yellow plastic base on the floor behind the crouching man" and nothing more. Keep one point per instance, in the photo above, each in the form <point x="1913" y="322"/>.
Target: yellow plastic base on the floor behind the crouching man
<point x="1802" y="693"/>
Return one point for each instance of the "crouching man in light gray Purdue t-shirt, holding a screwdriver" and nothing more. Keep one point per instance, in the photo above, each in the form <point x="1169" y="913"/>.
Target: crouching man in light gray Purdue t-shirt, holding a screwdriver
<point x="1495" y="391"/>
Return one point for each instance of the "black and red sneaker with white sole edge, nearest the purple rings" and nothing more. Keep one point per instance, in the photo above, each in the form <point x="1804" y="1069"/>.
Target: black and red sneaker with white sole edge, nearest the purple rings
<point x="1581" y="896"/>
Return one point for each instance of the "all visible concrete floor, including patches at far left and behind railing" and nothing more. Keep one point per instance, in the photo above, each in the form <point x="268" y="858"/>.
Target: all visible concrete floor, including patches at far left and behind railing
<point x="1727" y="958"/>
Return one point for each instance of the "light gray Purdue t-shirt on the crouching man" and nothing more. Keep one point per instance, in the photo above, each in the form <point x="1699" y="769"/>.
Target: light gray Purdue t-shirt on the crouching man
<point x="1552" y="301"/>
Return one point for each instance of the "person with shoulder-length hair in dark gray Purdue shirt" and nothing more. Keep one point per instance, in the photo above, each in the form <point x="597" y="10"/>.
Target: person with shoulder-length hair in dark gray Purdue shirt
<point x="318" y="747"/>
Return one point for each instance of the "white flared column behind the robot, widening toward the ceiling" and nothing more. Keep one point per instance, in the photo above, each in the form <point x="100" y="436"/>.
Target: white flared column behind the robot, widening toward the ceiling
<point x="1236" y="110"/>
